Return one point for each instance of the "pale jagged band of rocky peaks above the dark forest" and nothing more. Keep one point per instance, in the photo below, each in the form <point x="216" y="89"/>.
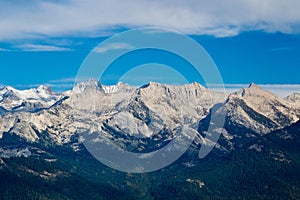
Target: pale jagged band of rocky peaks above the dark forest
<point x="154" y="111"/>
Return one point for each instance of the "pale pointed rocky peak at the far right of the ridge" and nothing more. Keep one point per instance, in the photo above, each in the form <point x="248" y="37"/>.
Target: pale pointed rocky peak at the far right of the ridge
<point x="260" y="110"/>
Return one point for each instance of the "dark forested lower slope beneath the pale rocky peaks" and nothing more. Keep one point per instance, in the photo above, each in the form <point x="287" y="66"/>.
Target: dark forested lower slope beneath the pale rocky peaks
<point x="252" y="172"/>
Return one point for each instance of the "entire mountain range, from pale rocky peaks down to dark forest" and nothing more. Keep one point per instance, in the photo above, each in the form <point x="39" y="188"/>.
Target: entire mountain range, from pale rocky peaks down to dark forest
<point x="41" y="140"/>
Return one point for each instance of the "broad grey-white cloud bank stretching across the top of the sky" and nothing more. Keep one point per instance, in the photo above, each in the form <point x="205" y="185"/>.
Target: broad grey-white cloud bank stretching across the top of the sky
<point x="94" y="17"/>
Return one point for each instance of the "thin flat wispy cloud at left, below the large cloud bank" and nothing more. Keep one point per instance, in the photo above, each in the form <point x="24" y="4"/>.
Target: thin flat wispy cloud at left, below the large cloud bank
<point x="37" y="47"/>
